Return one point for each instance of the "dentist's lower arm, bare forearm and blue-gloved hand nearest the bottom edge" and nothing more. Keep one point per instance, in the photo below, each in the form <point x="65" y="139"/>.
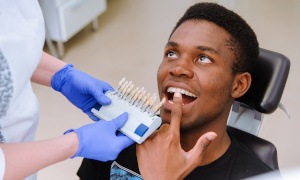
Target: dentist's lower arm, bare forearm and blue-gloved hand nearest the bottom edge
<point x="98" y="140"/>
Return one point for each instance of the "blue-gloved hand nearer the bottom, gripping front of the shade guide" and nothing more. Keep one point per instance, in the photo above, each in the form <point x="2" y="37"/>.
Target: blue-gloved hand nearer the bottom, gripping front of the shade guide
<point x="99" y="140"/>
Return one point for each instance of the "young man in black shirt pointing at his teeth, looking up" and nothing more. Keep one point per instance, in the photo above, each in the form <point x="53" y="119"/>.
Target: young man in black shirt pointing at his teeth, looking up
<point x="207" y="63"/>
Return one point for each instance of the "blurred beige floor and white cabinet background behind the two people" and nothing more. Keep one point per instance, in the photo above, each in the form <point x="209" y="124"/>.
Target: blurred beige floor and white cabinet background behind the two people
<point x="127" y="38"/>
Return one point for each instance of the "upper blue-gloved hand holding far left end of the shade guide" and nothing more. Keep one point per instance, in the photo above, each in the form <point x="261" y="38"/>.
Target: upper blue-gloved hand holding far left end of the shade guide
<point x="81" y="89"/>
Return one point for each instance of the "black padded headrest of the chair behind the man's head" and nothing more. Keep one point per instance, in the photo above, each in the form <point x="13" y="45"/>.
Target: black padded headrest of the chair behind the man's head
<point x="268" y="82"/>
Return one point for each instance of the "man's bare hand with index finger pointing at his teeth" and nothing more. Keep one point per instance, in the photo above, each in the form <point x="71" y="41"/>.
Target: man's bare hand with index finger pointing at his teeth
<point x="161" y="155"/>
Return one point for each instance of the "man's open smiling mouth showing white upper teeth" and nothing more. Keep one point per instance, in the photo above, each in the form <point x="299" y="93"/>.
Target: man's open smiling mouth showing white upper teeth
<point x="187" y="97"/>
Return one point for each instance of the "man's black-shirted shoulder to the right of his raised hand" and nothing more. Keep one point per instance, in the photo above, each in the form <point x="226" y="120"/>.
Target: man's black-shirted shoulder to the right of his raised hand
<point x="238" y="162"/>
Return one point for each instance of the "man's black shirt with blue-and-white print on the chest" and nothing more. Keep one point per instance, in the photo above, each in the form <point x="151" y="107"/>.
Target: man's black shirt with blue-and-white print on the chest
<point x="237" y="162"/>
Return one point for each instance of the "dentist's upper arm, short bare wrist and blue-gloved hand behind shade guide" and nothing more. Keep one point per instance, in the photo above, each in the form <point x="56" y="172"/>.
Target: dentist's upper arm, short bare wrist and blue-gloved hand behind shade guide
<point x="81" y="89"/>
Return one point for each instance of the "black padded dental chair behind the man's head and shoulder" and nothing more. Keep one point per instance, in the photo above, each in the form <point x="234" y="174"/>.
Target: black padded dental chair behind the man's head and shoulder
<point x="263" y="97"/>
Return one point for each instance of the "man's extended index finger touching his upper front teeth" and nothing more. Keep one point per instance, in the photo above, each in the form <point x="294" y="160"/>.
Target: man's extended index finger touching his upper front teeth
<point x="176" y="113"/>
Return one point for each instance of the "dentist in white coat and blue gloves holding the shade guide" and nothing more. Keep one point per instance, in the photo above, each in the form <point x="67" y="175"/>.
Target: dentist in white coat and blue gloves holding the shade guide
<point x="22" y="61"/>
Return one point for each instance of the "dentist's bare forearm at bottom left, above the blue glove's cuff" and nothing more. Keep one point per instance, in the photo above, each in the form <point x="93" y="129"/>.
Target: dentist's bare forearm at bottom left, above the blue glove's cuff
<point x="24" y="159"/>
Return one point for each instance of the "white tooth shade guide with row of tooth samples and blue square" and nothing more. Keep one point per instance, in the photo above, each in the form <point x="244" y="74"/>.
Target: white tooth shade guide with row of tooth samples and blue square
<point x="142" y="121"/>
